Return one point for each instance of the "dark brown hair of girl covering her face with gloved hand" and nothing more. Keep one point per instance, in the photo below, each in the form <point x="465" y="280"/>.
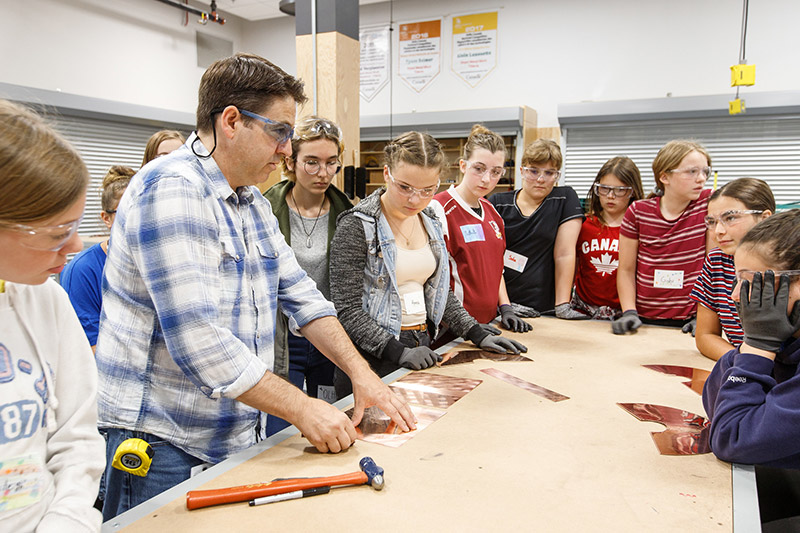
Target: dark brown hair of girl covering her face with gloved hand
<point x="777" y="240"/>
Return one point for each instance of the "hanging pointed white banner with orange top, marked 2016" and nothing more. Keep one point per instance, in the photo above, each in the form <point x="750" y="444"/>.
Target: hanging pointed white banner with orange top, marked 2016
<point x="419" y="52"/>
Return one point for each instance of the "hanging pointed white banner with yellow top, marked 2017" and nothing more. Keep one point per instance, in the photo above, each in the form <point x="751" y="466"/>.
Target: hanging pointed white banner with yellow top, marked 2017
<point x="474" y="46"/>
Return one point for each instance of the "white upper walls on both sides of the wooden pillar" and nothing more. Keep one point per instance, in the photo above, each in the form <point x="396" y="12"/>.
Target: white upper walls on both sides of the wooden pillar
<point x="550" y="52"/>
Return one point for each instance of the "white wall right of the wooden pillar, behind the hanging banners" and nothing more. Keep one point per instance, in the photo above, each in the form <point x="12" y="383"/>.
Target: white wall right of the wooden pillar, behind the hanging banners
<point x="568" y="51"/>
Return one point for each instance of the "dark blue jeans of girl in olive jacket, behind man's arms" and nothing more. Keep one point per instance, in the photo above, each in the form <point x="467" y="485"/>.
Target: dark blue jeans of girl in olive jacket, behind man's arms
<point x="308" y="366"/>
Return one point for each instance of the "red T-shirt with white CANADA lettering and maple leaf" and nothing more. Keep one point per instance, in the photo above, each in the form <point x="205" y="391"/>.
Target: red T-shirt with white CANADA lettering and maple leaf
<point x="598" y="259"/>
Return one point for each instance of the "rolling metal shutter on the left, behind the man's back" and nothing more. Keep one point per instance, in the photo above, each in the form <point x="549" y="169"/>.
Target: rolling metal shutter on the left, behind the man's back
<point x="102" y="144"/>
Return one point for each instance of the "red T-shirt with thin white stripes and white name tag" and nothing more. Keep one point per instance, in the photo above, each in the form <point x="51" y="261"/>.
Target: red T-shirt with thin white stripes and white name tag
<point x="671" y="254"/>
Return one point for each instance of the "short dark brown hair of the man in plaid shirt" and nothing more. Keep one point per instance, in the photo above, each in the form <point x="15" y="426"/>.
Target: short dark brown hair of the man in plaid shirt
<point x="246" y="81"/>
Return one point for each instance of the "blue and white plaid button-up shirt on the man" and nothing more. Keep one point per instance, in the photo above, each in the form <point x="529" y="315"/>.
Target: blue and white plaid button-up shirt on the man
<point x="196" y="273"/>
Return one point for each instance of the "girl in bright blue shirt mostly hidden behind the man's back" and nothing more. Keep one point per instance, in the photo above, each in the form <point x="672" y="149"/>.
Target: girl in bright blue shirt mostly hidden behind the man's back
<point x="83" y="276"/>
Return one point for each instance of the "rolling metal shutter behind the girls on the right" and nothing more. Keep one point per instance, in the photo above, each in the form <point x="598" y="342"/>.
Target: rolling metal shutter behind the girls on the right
<point x="761" y="147"/>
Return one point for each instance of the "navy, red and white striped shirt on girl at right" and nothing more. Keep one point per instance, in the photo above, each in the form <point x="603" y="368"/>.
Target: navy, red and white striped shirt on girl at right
<point x="713" y="290"/>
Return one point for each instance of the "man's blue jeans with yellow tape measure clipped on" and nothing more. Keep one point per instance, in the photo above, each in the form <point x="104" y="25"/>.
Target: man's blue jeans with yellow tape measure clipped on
<point x="124" y="491"/>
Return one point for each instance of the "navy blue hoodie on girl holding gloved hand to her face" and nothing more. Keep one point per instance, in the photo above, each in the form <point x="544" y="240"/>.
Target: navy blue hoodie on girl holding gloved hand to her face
<point x="754" y="407"/>
